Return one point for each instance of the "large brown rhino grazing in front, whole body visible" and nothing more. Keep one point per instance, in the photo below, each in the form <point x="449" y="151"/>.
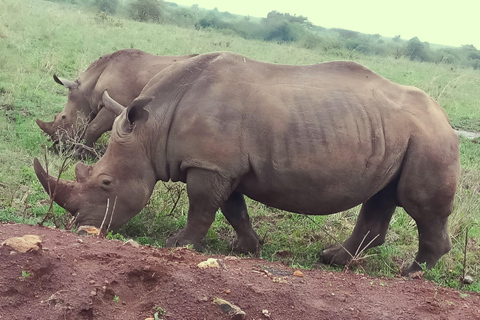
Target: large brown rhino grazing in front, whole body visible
<point x="313" y="140"/>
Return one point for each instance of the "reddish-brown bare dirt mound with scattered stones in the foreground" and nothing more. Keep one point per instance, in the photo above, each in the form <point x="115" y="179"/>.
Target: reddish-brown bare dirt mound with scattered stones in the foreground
<point x="73" y="277"/>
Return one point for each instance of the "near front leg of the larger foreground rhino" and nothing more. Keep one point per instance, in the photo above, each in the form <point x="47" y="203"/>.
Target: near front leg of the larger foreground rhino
<point x="206" y="191"/>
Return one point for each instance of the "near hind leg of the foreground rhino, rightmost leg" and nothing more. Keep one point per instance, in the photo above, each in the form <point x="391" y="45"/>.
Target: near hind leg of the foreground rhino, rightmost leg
<point x="426" y="191"/>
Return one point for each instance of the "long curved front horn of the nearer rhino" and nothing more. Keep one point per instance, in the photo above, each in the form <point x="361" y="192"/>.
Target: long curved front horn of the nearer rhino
<point x="59" y="190"/>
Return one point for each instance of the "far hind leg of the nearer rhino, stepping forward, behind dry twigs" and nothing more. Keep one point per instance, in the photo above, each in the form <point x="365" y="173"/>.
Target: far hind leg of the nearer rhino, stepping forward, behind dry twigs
<point x="370" y="229"/>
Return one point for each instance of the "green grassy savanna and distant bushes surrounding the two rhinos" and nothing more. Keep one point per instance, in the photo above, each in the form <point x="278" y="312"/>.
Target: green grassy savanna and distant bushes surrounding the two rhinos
<point x="40" y="38"/>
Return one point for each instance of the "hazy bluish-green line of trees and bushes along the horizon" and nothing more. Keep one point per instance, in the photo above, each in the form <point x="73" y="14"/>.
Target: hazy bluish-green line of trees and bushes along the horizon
<point x="284" y="27"/>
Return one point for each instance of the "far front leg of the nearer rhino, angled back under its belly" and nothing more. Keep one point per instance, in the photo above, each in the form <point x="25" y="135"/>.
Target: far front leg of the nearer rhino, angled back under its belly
<point x="235" y="211"/>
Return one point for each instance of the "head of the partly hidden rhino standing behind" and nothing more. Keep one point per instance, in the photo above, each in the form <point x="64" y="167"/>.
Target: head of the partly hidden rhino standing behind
<point x="63" y="128"/>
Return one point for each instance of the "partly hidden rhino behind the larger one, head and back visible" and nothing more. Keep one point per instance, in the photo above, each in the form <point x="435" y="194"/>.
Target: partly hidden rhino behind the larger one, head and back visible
<point x="124" y="73"/>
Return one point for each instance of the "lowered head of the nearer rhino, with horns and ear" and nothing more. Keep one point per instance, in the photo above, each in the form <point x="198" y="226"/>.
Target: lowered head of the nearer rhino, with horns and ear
<point x="110" y="192"/>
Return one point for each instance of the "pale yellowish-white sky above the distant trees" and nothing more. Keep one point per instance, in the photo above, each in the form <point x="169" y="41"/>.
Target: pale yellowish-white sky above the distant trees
<point x="453" y="23"/>
